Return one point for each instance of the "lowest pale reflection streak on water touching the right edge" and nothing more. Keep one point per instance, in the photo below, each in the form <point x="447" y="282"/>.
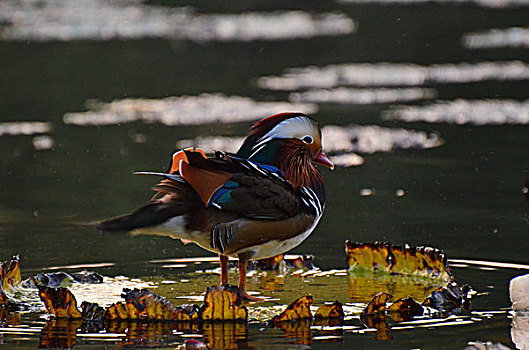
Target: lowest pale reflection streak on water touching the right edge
<point x="477" y="112"/>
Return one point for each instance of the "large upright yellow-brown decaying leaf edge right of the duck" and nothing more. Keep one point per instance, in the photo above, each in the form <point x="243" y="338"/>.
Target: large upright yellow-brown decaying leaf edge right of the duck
<point x="421" y="261"/>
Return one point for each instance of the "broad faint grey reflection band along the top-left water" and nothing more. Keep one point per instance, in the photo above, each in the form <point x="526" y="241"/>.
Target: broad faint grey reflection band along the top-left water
<point x="68" y="20"/>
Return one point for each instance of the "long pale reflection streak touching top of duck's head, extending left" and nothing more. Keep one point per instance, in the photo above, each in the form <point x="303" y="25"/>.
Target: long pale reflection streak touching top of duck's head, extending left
<point x="183" y="110"/>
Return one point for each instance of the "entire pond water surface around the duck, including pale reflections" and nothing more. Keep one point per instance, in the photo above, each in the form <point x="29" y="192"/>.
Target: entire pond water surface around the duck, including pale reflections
<point x="453" y="179"/>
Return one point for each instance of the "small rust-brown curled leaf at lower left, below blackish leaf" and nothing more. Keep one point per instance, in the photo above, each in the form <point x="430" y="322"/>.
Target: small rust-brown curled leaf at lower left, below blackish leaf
<point x="59" y="302"/>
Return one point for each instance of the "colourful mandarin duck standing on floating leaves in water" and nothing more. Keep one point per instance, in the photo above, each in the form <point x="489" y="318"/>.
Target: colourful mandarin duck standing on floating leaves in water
<point x="257" y="203"/>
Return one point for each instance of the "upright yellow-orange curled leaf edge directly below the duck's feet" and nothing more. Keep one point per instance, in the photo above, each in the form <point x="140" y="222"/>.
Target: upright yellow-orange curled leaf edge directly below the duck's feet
<point x="223" y="303"/>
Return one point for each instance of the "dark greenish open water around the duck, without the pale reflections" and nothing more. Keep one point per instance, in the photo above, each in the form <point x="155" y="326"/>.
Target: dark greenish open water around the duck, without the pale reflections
<point x="464" y="197"/>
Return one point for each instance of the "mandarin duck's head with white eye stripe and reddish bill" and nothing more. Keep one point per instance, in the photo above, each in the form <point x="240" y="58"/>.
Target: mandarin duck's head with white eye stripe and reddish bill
<point x="285" y="135"/>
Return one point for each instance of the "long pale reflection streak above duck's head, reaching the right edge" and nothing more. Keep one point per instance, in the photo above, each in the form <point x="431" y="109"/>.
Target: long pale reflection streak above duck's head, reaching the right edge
<point x="393" y="74"/>
